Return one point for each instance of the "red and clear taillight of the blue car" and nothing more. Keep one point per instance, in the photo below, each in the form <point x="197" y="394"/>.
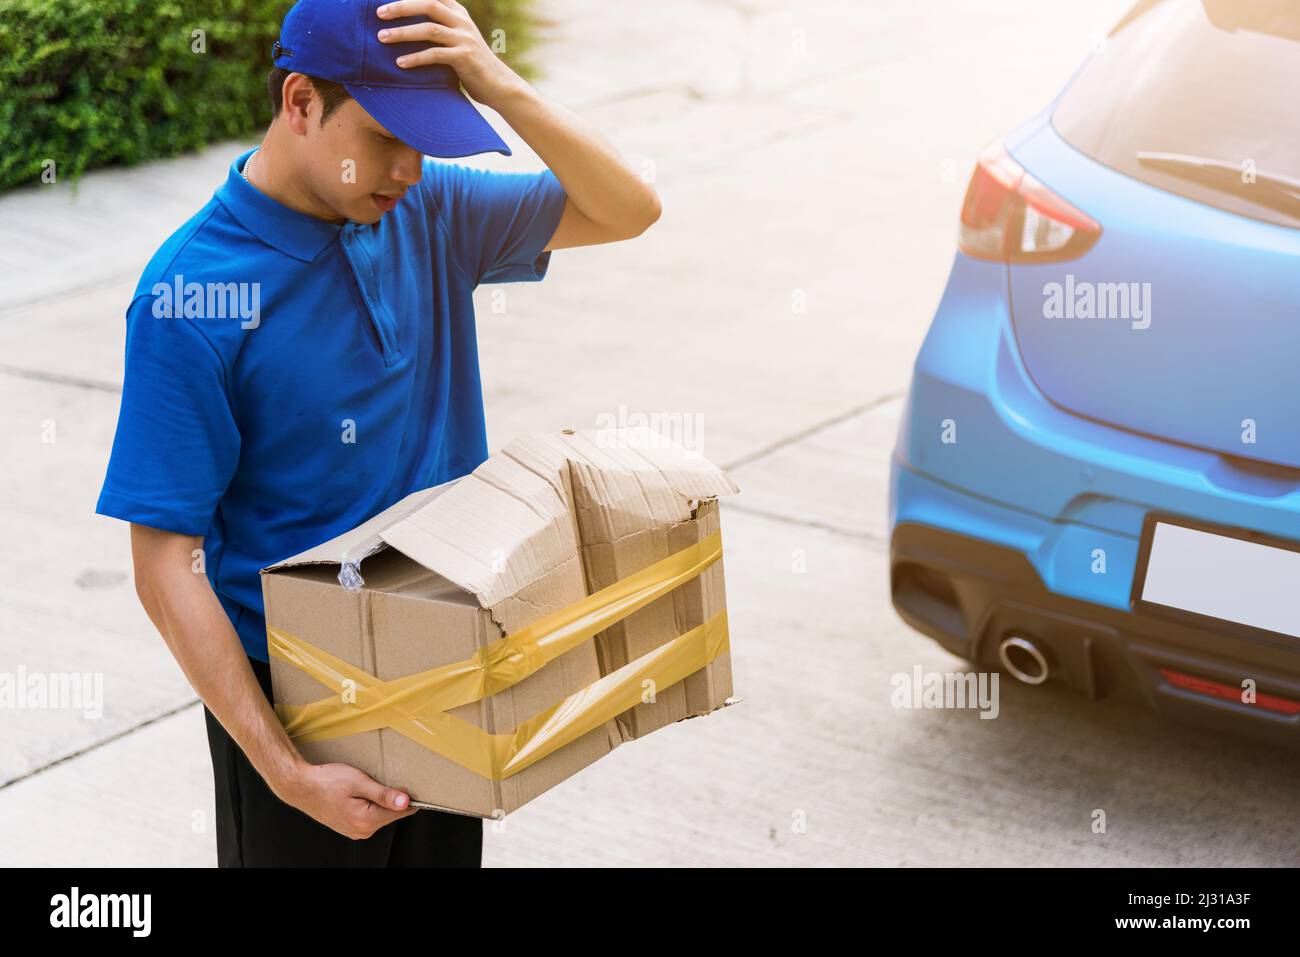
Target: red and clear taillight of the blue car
<point x="1012" y="218"/>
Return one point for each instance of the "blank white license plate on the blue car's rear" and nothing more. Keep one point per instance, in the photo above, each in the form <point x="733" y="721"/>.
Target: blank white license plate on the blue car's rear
<point x="1225" y="578"/>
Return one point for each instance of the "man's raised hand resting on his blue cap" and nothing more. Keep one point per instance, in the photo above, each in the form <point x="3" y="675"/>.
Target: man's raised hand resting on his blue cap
<point x="460" y="46"/>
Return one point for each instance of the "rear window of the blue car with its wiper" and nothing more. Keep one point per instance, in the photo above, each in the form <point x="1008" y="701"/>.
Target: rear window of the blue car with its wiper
<point x="1184" y="81"/>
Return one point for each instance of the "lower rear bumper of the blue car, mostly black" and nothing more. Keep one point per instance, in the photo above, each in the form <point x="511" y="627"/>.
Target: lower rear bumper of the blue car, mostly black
<point x="969" y="591"/>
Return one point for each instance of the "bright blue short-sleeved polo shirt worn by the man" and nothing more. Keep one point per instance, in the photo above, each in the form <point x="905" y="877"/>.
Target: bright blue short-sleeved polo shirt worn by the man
<point x="288" y="379"/>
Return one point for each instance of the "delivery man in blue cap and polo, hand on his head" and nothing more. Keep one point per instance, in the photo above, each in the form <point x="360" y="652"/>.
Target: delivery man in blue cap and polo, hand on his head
<point x="302" y="354"/>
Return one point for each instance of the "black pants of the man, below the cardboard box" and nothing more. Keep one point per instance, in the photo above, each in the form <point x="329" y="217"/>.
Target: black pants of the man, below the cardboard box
<point x="255" y="829"/>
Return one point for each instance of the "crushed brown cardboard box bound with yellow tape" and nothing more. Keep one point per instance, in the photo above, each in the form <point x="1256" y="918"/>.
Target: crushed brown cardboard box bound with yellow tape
<point x="449" y="647"/>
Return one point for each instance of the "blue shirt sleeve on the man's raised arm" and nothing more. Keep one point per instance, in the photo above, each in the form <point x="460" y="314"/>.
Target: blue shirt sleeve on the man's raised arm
<point x="499" y="223"/>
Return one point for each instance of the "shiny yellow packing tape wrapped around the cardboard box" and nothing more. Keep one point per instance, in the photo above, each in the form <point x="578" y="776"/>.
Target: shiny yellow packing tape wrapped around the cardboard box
<point x="417" y="705"/>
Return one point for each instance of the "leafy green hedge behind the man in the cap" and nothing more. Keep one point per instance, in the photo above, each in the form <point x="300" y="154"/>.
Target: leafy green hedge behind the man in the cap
<point x="103" y="83"/>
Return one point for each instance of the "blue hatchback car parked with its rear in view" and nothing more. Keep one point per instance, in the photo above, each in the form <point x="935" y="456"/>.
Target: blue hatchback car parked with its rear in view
<point x="1097" y="479"/>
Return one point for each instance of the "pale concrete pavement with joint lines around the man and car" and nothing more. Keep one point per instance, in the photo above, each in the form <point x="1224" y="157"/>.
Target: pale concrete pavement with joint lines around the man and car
<point x="812" y="163"/>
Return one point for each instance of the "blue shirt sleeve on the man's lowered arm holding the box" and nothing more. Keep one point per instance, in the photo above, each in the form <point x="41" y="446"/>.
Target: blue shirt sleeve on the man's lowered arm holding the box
<point x="177" y="443"/>
